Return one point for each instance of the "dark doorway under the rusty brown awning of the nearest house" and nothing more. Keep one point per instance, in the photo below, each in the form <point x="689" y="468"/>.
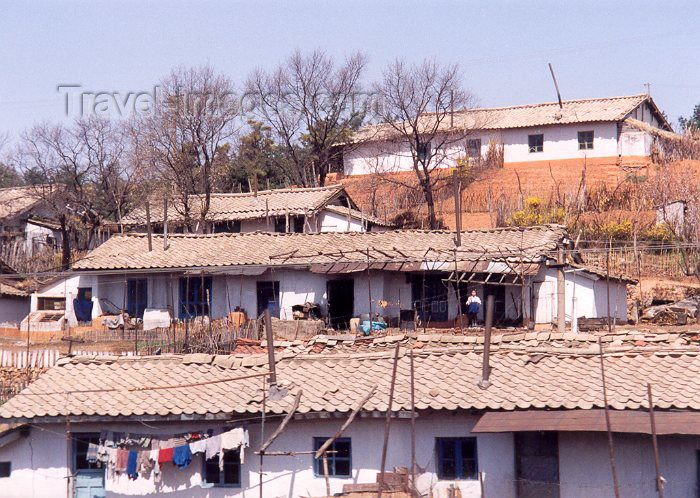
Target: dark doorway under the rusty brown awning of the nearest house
<point x="537" y="464"/>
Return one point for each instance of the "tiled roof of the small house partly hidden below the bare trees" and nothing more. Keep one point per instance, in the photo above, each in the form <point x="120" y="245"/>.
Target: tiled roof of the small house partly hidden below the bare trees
<point x="244" y="206"/>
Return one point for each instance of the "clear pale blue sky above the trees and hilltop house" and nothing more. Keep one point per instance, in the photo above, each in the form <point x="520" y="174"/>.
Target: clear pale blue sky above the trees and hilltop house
<point x="597" y="48"/>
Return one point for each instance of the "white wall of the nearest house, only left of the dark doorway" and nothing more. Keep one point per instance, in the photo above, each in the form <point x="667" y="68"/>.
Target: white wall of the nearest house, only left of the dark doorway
<point x="39" y="462"/>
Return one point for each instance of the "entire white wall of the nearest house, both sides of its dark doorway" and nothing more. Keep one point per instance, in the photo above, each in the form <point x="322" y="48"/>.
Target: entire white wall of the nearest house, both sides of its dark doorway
<point x="39" y="461"/>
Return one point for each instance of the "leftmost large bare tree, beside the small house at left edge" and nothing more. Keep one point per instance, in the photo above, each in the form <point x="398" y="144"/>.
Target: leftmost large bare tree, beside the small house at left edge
<point x="80" y="174"/>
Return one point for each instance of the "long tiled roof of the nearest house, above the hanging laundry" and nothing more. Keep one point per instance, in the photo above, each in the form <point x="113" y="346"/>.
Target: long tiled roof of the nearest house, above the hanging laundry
<point x="445" y="379"/>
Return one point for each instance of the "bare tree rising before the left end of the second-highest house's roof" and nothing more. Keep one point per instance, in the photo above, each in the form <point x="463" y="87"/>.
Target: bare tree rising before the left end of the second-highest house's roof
<point x="182" y="142"/>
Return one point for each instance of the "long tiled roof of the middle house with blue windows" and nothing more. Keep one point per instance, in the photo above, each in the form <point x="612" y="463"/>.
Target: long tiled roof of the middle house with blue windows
<point x="130" y="251"/>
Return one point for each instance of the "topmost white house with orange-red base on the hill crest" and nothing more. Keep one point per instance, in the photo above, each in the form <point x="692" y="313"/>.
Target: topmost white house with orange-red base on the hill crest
<point x="614" y="130"/>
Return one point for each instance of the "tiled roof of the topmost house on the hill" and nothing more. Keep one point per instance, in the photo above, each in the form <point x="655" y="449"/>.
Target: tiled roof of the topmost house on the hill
<point x="573" y="111"/>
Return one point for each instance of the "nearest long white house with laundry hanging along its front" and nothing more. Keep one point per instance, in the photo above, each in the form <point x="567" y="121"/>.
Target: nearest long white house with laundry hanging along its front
<point x="534" y="427"/>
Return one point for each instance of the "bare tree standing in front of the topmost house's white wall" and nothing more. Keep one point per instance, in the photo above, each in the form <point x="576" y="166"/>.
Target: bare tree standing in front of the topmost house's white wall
<point x="417" y="122"/>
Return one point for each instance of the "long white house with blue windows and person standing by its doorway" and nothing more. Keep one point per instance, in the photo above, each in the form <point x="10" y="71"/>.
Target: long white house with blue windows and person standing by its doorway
<point x="406" y="270"/>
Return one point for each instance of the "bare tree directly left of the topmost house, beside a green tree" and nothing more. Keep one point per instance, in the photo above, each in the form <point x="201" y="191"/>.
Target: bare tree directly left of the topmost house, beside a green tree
<point x="309" y="102"/>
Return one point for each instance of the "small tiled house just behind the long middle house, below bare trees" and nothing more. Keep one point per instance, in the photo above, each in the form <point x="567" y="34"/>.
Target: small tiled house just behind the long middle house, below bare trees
<point x="299" y="210"/>
